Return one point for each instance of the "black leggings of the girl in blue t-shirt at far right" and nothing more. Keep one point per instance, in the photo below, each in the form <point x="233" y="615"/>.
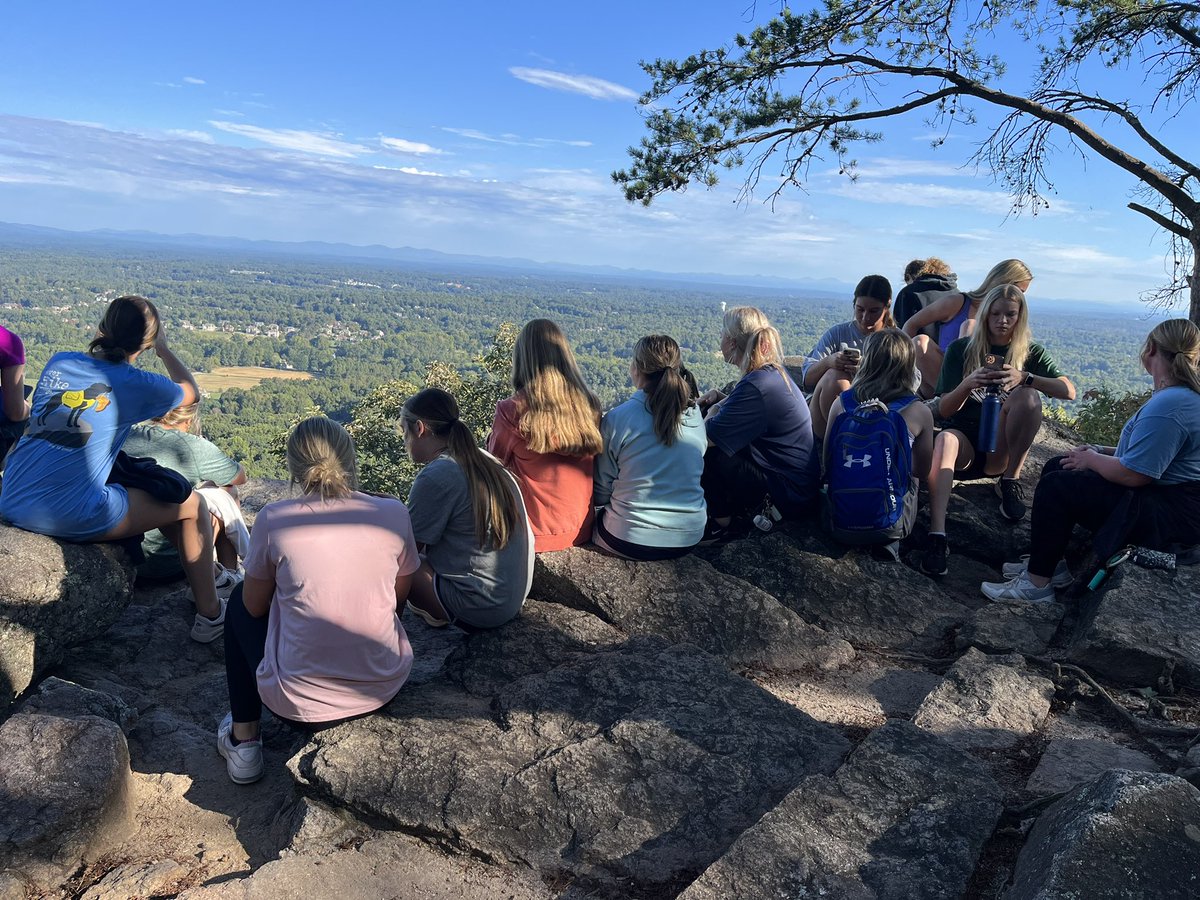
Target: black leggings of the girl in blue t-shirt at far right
<point x="1155" y="517"/>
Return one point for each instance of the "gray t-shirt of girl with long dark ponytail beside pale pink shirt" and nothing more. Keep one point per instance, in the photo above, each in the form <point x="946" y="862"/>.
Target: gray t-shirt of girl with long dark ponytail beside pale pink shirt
<point x="481" y="586"/>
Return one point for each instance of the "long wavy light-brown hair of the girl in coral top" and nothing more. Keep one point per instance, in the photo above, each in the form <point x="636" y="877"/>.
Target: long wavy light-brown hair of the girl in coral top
<point x="559" y="413"/>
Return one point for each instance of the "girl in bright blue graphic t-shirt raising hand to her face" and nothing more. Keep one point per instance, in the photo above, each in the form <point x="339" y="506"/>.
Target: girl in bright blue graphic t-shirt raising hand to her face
<point x="83" y="409"/>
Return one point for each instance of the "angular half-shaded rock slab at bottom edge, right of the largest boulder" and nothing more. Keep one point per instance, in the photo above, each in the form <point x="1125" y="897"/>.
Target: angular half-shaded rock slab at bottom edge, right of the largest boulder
<point x="904" y="818"/>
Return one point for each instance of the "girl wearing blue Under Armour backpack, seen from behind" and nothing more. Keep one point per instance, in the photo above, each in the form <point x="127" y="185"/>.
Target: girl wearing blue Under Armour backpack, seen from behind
<point x="878" y="445"/>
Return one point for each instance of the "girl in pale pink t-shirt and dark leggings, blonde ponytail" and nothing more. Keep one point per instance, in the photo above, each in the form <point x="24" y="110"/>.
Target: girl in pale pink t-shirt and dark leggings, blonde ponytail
<point x="316" y="640"/>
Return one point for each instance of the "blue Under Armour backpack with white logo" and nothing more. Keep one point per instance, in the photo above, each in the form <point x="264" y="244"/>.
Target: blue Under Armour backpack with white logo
<point x="872" y="497"/>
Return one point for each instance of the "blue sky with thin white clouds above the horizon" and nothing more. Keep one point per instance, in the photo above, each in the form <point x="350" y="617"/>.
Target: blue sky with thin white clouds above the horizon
<point x="487" y="129"/>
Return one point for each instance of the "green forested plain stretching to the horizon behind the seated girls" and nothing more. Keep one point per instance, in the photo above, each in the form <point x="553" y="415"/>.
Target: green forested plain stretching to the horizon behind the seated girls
<point x="357" y="326"/>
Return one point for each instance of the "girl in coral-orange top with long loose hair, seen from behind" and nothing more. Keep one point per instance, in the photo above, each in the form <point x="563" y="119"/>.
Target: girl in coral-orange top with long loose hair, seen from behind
<point x="548" y="435"/>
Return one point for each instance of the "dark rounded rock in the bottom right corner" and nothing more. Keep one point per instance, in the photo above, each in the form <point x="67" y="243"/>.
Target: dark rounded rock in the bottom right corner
<point x="1129" y="835"/>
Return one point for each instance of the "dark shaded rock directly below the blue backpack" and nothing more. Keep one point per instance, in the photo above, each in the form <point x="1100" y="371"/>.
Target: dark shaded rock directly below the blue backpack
<point x="848" y="593"/>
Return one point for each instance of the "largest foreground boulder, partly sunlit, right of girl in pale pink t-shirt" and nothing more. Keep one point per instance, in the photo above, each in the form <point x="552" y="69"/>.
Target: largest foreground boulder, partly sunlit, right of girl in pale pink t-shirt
<point x="623" y="769"/>
